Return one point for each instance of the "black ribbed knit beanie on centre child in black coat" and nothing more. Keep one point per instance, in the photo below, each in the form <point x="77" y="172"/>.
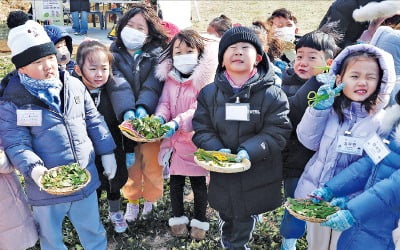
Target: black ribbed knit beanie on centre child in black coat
<point x="236" y="35"/>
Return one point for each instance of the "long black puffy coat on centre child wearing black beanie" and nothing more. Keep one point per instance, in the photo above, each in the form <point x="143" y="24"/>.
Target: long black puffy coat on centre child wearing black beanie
<point x="258" y="189"/>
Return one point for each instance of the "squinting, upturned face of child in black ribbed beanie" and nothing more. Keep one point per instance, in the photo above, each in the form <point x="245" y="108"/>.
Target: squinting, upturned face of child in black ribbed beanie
<point x="240" y="58"/>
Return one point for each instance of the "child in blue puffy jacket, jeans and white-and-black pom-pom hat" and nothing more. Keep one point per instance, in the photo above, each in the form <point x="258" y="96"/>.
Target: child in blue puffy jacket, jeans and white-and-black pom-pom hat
<point x="48" y="119"/>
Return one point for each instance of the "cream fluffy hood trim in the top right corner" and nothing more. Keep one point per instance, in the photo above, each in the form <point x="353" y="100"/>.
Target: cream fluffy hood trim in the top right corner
<point x="374" y="10"/>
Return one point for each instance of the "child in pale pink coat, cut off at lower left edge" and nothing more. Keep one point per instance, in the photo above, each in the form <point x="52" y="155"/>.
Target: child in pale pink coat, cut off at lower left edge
<point x="17" y="227"/>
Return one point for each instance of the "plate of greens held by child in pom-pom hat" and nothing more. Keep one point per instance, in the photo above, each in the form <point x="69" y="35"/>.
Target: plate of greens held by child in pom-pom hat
<point x="65" y="179"/>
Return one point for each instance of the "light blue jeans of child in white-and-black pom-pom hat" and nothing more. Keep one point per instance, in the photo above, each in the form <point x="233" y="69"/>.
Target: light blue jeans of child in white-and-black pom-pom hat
<point x="83" y="214"/>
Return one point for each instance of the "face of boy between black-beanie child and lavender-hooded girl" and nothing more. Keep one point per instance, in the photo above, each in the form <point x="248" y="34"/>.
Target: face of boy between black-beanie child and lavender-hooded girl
<point x="309" y="62"/>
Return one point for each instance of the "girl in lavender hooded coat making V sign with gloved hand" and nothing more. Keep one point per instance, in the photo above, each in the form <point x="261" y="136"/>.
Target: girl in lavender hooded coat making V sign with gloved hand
<point x="366" y="75"/>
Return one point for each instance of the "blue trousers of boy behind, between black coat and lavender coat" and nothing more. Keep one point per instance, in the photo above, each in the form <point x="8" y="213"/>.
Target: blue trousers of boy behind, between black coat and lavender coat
<point x="290" y="226"/>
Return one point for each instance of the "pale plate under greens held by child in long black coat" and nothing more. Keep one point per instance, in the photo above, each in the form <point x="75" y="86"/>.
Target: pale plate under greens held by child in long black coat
<point x="227" y="167"/>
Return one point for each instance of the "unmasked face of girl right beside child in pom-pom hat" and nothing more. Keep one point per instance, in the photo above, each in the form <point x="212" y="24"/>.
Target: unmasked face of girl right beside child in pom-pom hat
<point x="95" y="70"/>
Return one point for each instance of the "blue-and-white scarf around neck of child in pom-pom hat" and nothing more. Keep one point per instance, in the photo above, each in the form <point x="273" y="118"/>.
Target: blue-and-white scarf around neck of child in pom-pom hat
<point x="47" y="90"/>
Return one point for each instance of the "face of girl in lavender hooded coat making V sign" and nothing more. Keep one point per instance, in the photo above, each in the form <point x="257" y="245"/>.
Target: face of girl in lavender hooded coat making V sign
<point x="361" y="78"/>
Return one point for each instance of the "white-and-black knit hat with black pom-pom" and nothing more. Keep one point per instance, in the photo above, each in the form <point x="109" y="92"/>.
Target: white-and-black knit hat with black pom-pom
<point x="27" y="40"/>
